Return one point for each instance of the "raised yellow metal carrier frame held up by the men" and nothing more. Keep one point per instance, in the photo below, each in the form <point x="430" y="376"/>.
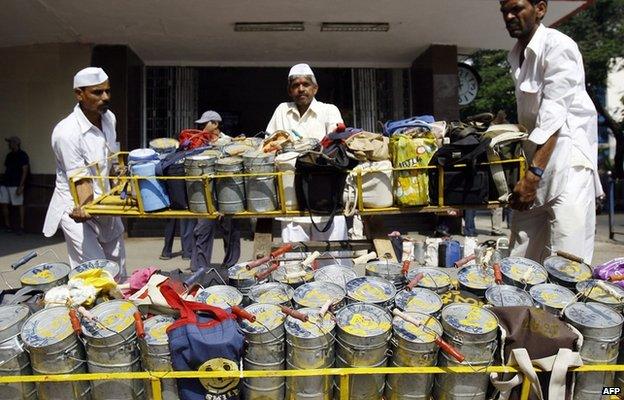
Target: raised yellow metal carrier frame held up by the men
<point x="110" y="203"/>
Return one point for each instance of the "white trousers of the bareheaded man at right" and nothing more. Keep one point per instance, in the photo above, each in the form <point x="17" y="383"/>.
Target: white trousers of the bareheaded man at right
<point x="567" y="223"/>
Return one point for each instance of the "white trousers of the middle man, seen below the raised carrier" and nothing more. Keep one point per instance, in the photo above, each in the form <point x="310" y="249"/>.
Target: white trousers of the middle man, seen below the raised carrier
<point x="305" y="232"/>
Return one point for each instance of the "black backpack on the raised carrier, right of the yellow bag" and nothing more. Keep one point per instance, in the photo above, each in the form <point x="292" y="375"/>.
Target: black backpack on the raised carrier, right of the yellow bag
<point x="463" y="185"/>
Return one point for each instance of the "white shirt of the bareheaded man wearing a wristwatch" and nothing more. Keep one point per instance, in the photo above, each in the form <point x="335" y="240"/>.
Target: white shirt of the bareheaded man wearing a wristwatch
<point x="551" y="97"/>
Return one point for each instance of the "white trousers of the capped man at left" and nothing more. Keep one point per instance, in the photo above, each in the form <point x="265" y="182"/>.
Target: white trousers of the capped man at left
<point x="85" y="243"/>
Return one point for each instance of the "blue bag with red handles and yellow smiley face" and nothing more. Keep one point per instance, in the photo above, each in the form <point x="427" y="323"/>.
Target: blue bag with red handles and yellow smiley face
<point x="211" y="341"/>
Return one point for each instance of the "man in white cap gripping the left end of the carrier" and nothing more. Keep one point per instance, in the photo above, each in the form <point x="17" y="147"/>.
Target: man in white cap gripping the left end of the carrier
<point x="85" y="136"/>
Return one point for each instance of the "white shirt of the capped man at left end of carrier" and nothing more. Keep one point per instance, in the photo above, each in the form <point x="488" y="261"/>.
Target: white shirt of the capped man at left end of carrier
<point x="76" y="142"/>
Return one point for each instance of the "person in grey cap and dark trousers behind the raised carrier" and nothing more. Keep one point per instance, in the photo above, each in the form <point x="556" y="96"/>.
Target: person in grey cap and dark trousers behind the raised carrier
<point x="206" y="229"/>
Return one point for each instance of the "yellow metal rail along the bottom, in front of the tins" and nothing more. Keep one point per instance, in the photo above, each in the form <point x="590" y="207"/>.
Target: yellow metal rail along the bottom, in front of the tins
<point x="156" y="378"/>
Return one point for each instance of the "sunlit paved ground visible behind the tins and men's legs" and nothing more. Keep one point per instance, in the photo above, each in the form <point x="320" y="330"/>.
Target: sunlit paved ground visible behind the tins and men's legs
<point x="143" y="252"/>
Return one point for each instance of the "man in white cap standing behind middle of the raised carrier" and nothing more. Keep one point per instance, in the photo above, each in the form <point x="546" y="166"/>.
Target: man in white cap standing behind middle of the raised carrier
<point x="307" y="117"/>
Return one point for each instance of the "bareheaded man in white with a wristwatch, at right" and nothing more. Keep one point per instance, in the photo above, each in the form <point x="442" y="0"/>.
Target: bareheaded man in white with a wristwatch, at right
<point x="554" y="205"/>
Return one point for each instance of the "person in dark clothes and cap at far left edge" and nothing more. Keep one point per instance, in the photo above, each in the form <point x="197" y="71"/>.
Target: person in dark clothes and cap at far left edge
<point x="13" y="184"/>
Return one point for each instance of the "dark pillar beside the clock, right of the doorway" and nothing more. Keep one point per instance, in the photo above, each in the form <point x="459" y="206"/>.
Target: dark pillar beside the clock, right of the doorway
<point x="434" y="83"/>
